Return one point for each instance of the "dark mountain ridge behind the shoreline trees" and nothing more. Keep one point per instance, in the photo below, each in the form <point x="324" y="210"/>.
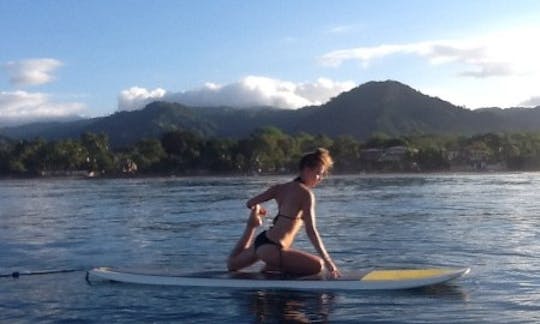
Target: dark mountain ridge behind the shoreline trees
<point x="388" y="107"/>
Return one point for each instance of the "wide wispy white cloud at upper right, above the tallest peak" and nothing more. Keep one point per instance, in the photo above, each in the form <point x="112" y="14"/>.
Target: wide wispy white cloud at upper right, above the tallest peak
<point x="504" y="53"/>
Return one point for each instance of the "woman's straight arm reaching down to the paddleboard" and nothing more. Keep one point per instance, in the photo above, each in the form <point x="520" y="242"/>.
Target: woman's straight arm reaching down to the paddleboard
<point x="308" y="215"/>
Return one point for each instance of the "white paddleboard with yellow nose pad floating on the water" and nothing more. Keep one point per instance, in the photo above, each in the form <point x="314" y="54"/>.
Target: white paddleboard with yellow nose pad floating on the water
<point x="367" y="280"/>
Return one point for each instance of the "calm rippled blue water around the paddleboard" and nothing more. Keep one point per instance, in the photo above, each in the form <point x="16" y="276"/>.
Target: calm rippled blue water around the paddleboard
<point x="489" y="222"/>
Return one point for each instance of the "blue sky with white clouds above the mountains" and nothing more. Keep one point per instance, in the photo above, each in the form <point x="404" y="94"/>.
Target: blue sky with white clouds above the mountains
<point x="93" y="58"/>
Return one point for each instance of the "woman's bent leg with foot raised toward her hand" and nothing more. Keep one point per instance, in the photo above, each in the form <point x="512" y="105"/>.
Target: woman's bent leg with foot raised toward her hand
<point x="243" y="254"/>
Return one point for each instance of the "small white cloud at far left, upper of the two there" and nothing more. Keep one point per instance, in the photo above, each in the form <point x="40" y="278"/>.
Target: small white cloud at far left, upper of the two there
<point x="32" y="71"/>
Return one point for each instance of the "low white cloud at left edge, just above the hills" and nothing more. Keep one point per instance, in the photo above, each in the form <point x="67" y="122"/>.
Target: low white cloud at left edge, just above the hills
<point x="20" y="107"/>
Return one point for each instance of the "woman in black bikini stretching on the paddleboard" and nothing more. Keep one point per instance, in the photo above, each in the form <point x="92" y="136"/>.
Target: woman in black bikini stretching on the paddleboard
<point x="296" y="205"/>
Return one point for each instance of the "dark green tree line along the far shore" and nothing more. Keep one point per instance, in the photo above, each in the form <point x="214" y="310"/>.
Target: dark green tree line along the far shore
<point x="267" y="150"/>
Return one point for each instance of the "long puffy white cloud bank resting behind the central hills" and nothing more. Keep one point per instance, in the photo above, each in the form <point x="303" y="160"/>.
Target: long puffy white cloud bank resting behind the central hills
<point x="251" y="91"/>
